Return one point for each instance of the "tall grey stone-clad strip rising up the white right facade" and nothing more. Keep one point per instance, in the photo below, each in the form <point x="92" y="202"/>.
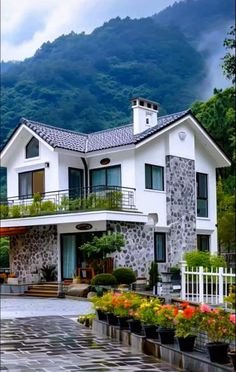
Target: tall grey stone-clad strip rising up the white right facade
<point x="181" y="207"/>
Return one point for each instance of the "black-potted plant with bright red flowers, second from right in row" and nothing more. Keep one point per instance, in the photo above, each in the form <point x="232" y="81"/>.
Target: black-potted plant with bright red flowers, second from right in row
<point x="186" y="326"/>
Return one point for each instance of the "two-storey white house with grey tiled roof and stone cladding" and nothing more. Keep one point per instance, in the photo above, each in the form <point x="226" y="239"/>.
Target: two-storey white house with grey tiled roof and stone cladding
<point x="153" y="180"/>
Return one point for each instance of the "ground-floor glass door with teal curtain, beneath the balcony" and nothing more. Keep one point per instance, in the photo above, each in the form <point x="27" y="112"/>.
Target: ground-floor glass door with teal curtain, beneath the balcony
<point x="69" y="256"/>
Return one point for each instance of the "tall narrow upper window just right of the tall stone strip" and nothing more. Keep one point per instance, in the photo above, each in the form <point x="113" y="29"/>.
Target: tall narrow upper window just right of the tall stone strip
<point x="202" y="195"/>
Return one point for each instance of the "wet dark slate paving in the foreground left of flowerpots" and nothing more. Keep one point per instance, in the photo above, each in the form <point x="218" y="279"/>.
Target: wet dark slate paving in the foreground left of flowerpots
<point x="57" y="343"/>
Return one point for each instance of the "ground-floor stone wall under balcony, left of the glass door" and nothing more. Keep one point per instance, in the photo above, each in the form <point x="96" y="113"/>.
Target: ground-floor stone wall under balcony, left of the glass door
<point x="30" y="251"/>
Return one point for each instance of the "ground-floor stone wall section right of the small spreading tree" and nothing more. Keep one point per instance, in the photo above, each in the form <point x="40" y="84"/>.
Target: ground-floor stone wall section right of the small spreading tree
<point x="138" y="252"/>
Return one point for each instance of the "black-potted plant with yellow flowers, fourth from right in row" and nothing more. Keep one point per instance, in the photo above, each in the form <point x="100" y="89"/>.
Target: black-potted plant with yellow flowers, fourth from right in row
<point x="147" y="314"/>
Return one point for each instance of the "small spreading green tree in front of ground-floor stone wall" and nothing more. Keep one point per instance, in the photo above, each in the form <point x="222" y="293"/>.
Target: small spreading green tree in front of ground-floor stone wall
<point x="103" y="247"/>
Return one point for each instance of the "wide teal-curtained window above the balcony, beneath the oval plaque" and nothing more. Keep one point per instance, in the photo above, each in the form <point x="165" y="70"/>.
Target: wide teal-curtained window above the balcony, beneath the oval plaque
<point x="110" y="176"/>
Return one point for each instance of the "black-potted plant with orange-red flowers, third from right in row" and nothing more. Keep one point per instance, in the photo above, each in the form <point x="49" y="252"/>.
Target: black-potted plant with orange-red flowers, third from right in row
<point x="165" y="318"/>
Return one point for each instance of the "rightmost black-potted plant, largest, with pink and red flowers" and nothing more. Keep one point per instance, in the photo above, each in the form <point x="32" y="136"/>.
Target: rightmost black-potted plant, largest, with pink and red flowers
<point x="220" y="330"/>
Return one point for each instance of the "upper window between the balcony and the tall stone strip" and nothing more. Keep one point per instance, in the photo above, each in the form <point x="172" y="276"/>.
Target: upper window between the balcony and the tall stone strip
<point x="154" y="177"/>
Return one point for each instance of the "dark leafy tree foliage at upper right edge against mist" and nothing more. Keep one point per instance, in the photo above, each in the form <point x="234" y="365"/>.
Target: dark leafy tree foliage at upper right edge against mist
<point x="229" y="65"/>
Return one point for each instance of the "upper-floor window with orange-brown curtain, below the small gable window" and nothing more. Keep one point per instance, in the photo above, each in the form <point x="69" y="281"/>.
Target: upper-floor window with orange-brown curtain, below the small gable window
<point x="30" y="183"/>
